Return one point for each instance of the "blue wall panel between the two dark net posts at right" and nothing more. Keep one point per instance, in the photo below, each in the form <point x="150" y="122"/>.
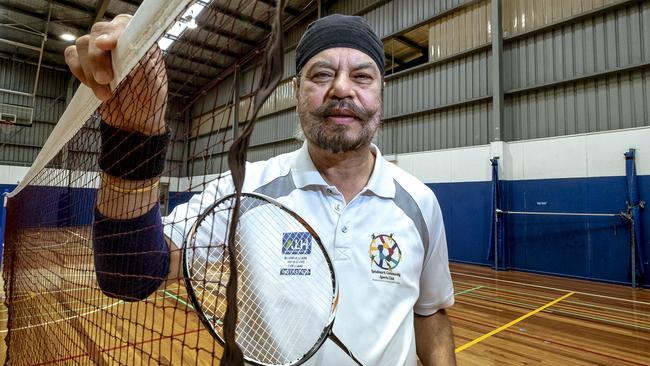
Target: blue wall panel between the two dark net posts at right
<point x="569" y="245"/>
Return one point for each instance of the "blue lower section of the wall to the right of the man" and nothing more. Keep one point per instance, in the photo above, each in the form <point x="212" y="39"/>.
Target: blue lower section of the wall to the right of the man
<point x="585" y="247"/>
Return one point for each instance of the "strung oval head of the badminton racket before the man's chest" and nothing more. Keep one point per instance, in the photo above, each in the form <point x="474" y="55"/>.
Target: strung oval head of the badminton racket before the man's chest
<point x="287" y="293"/>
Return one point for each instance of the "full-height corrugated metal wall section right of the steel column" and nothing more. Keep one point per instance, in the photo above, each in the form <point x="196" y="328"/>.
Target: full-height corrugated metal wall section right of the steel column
<point x="587" y="75"/>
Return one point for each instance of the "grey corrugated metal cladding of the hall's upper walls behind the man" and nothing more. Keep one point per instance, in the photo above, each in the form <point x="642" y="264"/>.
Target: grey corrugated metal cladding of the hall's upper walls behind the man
<point x="569" y="68"/>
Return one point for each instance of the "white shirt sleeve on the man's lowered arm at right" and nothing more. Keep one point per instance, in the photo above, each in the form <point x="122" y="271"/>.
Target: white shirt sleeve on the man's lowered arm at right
<point x="436" y="287"/>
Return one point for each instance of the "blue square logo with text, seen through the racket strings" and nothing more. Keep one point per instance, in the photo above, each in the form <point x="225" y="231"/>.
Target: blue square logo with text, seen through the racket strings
<point x="296" y="248"/>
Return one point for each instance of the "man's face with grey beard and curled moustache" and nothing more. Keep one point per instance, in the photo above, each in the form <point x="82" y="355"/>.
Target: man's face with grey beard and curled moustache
<point x="339" y="99"/>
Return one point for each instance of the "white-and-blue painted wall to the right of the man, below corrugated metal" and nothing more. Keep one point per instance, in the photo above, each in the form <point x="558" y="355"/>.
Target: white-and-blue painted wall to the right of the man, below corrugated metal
<point x="574" y="174"/>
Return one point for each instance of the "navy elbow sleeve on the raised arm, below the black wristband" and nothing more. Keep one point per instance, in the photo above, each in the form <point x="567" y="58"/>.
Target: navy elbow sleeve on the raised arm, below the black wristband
<point x="131" y="256"/>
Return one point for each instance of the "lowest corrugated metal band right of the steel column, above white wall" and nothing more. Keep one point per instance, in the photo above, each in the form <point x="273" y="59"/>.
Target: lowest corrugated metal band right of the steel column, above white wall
<point x="606" y="103"/>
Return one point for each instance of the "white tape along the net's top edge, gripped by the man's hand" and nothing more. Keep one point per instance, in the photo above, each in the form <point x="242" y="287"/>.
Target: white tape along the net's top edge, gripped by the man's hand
<point x="149" y="23"/>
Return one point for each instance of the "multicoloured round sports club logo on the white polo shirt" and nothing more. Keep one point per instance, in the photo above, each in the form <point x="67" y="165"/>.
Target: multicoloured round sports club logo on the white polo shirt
<point x="385" y="256"/>
